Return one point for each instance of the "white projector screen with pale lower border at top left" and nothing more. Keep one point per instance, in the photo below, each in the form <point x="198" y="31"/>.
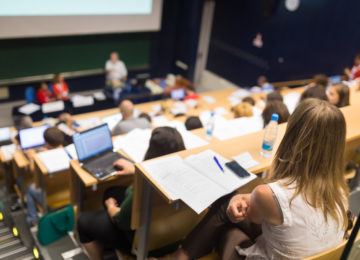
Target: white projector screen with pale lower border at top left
<point x="40" y="18"/>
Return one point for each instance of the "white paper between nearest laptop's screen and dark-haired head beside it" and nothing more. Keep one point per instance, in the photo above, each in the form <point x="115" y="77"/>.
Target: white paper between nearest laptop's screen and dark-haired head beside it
<point x="134" y="144"/>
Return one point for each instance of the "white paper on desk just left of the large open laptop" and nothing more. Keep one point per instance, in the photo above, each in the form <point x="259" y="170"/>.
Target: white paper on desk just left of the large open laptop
<point x="55" y="160"/>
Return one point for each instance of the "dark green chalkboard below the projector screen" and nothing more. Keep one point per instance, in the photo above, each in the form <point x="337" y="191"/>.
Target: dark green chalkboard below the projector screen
<point x="40" y="56"/>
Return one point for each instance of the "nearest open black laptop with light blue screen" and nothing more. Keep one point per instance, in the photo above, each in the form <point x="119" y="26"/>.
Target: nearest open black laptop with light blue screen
<point x="94" y="149"/>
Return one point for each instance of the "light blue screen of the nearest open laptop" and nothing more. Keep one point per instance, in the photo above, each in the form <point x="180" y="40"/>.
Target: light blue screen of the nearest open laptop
<point x="92" y="142"/>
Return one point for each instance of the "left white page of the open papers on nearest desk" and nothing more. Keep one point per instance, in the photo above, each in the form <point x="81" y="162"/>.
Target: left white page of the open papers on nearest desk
<point x="180" y="181"/>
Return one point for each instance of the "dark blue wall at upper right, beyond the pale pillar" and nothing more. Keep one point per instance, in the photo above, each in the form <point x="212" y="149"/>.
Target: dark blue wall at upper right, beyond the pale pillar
<point x="322" y="36"/>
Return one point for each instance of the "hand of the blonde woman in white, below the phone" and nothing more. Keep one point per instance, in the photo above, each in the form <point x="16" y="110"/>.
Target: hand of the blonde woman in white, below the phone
<point x="237" y="208"/>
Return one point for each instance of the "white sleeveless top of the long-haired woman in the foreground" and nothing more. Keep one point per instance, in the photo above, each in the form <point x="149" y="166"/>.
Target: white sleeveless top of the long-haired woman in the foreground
<point x="303" y="233"/>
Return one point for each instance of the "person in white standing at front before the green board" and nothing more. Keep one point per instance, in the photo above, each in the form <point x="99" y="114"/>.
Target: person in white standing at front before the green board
<point x="116" y="74"/>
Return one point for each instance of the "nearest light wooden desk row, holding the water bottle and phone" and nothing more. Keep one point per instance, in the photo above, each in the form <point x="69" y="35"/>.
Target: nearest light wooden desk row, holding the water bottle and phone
<point x="145" y="185"/>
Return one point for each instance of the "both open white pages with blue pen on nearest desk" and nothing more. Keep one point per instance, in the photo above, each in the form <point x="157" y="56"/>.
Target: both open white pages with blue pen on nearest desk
<point x="196" y="180"/>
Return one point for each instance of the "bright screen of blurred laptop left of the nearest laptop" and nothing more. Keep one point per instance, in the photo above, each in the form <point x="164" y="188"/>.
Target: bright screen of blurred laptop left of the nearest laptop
<point x="32" y="137"/>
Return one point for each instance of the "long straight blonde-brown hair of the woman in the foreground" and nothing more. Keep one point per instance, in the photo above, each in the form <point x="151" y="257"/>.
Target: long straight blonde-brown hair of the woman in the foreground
<point x="311" y="156"/>
